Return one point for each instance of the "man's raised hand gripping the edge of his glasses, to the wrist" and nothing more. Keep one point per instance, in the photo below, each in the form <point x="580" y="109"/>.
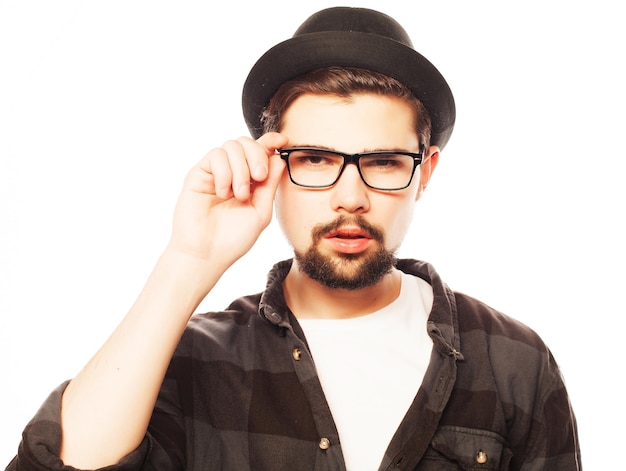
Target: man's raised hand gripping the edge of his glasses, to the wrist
<point x="227" y="199"/>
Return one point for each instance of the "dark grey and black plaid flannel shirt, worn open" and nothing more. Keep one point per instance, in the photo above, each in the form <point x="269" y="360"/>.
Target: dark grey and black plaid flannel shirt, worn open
<point x="242" y="393"/>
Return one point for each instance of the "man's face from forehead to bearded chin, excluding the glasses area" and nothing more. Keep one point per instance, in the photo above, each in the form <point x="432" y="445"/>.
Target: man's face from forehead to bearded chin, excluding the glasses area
<point x="345" y="236"/>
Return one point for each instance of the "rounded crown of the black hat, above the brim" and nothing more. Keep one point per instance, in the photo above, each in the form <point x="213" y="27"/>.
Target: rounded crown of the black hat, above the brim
<point x="349" y="19"/>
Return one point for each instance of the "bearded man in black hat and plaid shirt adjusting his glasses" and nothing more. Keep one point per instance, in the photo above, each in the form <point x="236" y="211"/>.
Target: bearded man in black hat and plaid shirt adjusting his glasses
<point x="350" y="359"/>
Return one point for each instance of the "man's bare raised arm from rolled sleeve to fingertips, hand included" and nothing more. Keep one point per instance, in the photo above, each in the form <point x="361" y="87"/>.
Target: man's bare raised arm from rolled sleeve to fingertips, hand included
<point x="225" y="204"/>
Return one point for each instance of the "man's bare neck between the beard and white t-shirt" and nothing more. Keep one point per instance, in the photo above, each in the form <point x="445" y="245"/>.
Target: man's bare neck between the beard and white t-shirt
<point x="309" y="299"/>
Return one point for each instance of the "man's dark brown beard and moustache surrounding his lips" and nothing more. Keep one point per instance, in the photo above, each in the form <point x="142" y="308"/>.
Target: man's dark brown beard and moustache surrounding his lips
<point x="346" y="271"/>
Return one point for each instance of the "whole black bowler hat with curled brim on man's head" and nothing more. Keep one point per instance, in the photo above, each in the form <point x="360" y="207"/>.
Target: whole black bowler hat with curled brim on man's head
<point x="350" y="37"/>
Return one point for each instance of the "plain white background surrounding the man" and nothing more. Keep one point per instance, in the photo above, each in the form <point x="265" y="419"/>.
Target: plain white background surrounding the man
<point x="105" y="105"/>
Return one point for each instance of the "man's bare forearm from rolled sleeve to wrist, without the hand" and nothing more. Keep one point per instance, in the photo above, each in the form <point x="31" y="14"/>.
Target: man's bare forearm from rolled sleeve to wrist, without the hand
<point x="107" y="407"/>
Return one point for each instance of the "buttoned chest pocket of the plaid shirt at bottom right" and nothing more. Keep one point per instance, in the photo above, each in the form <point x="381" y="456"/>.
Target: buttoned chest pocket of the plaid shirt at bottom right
<point x="460" y="448"/>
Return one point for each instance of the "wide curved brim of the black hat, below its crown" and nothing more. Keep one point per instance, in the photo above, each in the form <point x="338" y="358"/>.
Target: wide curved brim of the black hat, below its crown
<point x="308" y="52"/>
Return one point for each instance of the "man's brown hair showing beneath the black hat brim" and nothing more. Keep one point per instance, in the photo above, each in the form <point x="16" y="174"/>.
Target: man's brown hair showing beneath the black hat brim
<point x="344" y="82"/>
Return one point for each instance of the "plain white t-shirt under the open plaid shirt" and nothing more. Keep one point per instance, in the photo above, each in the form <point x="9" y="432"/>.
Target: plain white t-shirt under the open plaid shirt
<point x="371" y="367"/>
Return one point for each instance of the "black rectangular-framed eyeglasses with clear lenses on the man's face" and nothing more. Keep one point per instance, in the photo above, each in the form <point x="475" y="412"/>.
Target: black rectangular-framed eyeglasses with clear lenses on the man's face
<point x="321" y="168"/>
